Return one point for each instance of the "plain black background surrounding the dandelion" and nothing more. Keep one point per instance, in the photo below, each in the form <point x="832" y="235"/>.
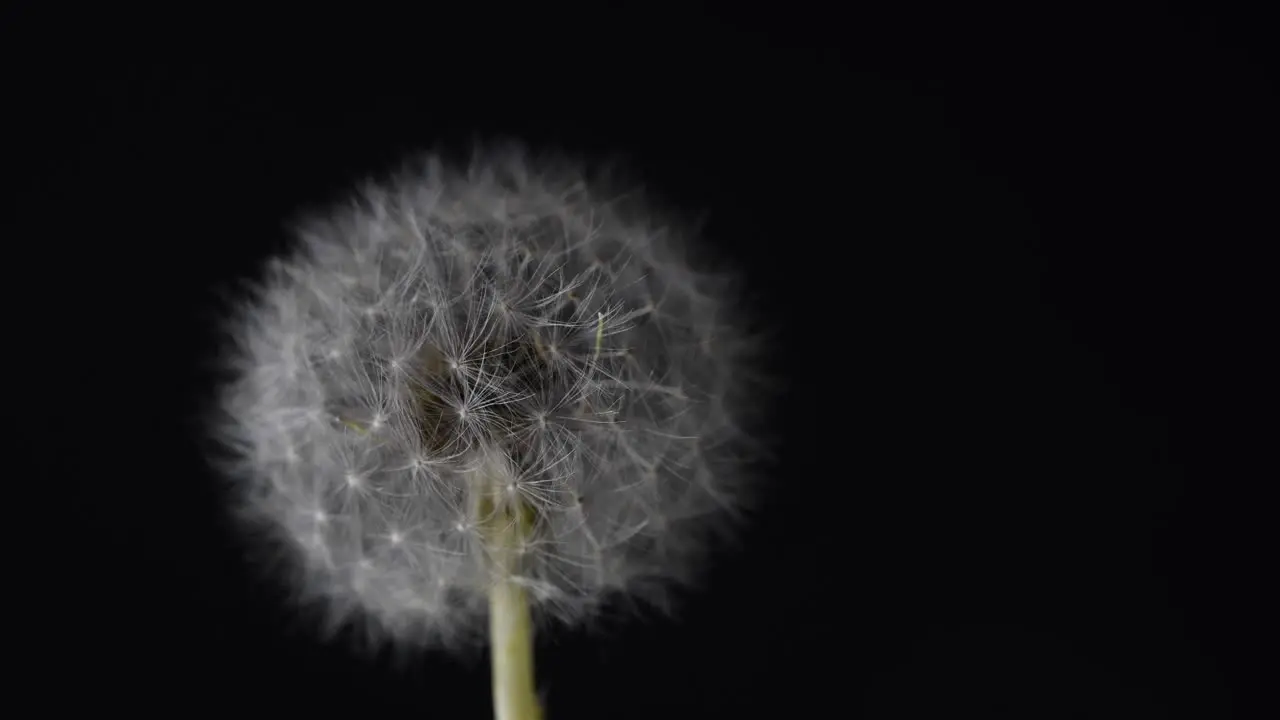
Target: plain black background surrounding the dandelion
<point x="1017" y="265"/>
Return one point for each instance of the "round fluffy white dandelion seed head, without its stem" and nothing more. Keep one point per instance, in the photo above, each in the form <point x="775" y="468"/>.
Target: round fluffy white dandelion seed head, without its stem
<point x="500" y="327"/>
